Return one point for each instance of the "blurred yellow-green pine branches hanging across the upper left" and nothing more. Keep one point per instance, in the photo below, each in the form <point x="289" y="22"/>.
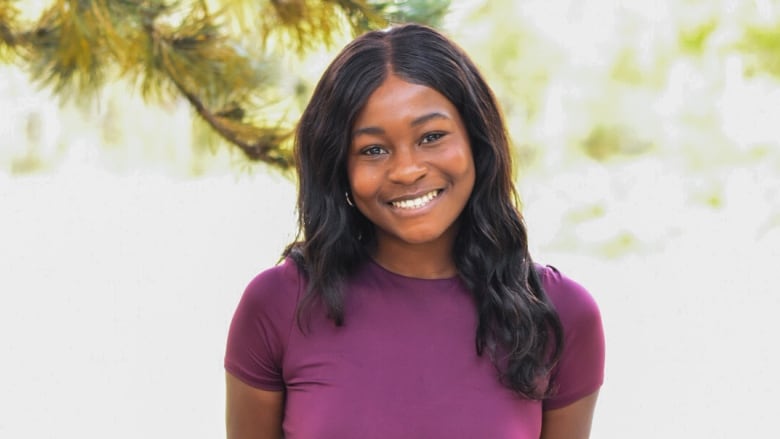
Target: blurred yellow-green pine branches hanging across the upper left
<point x="222" y="56"/>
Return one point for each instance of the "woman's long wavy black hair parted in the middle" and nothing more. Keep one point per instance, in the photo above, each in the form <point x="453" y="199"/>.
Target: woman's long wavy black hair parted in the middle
<point x="517" y="325"/>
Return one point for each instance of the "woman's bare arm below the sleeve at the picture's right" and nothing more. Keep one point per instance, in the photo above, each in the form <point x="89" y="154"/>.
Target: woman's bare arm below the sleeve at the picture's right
<point x="570" y="422"/>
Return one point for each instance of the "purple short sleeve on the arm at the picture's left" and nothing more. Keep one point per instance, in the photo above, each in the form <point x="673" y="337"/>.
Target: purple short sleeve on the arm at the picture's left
<point x="260" y="327"/>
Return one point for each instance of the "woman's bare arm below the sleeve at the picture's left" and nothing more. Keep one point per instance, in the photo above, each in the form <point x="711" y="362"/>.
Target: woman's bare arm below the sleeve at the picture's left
<point x="251" y="412"/>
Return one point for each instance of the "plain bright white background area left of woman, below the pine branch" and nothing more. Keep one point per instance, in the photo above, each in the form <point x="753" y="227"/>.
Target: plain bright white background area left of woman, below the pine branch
<point x="117" y="294"/>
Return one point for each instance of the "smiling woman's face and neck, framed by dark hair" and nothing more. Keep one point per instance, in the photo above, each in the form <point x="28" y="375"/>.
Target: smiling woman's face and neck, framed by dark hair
<point x="410" y="166"/>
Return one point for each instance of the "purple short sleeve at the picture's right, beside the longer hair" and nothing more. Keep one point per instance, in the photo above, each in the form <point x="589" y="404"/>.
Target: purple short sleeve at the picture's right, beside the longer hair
<point x="580" y="371"/>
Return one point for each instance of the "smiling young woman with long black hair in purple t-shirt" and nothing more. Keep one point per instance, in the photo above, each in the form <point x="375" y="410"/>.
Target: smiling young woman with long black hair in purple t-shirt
<point x="410" y="307"/>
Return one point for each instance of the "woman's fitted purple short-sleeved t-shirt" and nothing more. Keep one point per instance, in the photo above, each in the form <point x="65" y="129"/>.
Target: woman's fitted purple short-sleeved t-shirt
<point x="404" y="363"/>
